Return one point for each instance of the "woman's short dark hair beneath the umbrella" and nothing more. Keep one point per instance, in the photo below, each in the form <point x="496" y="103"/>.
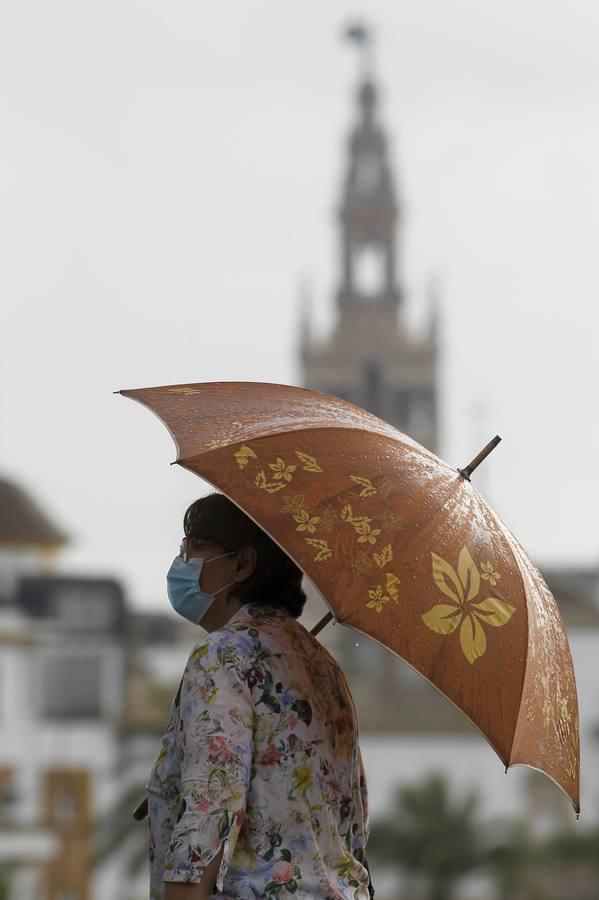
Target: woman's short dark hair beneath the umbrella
<point x="276" y="580"/>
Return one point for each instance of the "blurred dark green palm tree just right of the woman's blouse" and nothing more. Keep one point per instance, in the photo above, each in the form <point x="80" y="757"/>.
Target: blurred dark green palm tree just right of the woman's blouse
<point x="431" y="835"/>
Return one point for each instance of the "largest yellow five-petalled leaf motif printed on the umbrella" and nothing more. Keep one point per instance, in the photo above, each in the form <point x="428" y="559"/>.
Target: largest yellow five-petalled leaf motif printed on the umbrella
<point x="462" y="588"/>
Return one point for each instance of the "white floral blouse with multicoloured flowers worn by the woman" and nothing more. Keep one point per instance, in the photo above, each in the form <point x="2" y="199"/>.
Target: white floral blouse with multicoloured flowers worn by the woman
<point x="261" y="752"/>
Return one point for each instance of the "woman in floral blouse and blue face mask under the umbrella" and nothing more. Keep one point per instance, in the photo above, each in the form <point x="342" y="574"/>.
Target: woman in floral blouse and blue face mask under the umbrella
<point x="258" y="790"/>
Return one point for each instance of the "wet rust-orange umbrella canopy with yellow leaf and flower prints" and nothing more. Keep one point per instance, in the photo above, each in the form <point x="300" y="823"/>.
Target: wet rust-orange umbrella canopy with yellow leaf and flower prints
<point x="401" y="547"/>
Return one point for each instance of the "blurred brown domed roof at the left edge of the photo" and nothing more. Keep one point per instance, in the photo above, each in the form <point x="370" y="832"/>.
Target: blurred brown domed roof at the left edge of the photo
<point x="22" y="522"/>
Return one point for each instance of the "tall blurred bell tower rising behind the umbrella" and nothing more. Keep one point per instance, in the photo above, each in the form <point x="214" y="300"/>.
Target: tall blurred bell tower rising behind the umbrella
<point x="372" y="358"/>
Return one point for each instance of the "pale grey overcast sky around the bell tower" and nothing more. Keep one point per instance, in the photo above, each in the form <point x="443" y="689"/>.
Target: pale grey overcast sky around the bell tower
<point x="169" y="172"/>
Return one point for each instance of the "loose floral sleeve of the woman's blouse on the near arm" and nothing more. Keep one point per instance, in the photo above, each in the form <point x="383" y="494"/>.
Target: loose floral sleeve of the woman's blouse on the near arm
<point x="216" y="739"/>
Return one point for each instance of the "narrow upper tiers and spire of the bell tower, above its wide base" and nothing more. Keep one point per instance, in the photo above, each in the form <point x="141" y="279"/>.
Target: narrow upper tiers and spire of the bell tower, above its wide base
<point x="368" y="211"/>
